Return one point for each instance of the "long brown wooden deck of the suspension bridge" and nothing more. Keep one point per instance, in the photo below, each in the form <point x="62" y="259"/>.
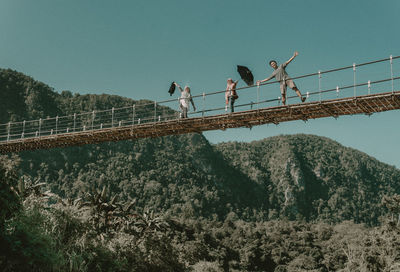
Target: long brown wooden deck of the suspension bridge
<point x="366" y="104"/>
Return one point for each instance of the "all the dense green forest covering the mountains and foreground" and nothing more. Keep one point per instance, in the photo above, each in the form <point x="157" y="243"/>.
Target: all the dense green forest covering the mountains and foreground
<point x="178" y="203"/>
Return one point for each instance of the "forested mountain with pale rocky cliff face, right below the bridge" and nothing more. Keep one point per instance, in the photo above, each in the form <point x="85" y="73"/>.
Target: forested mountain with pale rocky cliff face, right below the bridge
<point x="315" y="177"/>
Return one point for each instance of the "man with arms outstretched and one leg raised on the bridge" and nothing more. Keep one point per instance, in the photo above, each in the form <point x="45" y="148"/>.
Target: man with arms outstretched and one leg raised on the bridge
<point x="280" y="75"/>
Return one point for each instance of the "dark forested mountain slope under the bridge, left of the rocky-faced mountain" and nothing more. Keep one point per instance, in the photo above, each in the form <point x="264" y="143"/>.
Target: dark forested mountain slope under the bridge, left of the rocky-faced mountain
<point x="175" y="175"/>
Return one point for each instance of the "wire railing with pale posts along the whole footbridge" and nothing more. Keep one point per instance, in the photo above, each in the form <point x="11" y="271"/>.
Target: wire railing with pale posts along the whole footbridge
<point x="357" y="79"/>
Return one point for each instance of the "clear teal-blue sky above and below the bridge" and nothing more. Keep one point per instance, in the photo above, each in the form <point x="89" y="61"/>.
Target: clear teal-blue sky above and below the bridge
<point x="136" y="48"/>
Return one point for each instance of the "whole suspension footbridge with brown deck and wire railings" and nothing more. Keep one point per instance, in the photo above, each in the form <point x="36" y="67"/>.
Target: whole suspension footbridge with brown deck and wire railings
<point x="143" y="120"/>
